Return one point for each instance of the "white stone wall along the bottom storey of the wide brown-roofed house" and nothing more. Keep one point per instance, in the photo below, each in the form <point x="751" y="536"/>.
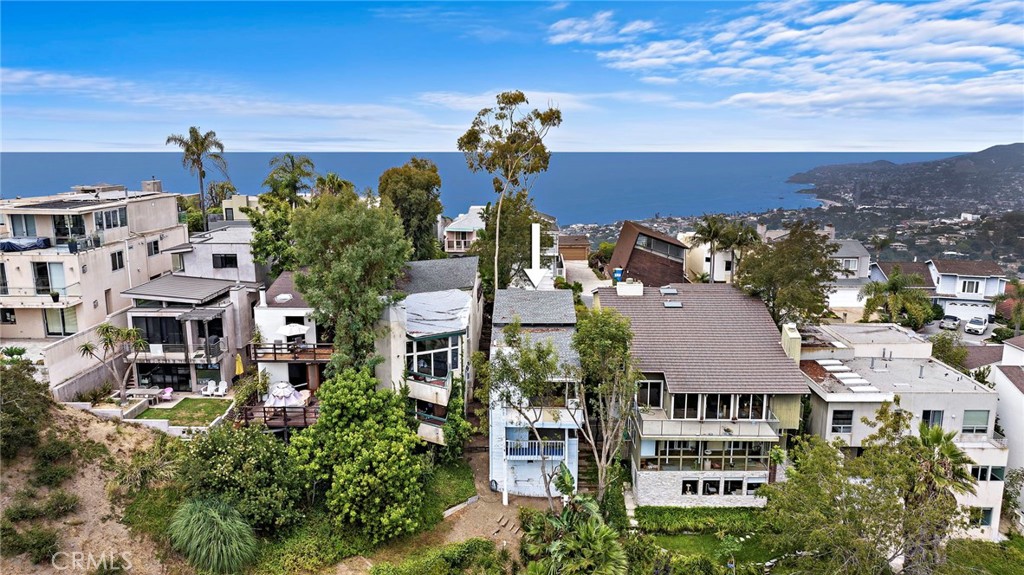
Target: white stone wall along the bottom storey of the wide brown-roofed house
<point x="665" y="489"/>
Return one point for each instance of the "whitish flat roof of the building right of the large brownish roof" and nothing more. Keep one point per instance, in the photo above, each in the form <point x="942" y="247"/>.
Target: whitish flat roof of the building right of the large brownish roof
<point x="901" y="376"/>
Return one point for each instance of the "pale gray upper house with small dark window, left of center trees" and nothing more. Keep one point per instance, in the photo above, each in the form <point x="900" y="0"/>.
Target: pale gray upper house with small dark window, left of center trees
<point x="223" y="254"/>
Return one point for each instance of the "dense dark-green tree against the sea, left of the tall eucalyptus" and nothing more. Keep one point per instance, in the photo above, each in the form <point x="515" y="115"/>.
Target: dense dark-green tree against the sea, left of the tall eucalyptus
<point x="414" y="191"/>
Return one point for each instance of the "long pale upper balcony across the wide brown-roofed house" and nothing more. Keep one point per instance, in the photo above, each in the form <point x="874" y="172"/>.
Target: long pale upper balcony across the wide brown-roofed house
<point x="656" y="423"/>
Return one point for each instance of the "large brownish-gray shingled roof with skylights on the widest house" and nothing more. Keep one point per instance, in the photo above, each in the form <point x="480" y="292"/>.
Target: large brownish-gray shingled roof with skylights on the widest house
<point x="720" y="340"/>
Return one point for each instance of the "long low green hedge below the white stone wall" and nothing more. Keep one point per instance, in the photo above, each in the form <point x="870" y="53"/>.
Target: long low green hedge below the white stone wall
<point x="733" y="521"/>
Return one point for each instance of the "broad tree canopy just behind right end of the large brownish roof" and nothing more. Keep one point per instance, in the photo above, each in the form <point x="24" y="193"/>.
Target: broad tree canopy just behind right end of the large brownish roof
<point x="793" y="276"/>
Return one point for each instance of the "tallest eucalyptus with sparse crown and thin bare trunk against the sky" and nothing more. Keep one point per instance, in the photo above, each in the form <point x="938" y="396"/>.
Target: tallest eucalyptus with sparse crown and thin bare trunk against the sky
<point x="508" y="143"/>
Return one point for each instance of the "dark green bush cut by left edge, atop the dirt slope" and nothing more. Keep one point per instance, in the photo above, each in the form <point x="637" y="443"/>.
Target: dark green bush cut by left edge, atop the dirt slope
<point x="25" y="409"/>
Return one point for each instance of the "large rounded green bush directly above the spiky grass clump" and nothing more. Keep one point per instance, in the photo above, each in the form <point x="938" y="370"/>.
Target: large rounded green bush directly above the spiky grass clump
<point x="248" y="469"/>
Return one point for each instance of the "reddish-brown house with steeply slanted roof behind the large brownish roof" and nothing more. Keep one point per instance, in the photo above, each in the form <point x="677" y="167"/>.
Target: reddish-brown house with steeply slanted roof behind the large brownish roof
<point x="649" y="256"/>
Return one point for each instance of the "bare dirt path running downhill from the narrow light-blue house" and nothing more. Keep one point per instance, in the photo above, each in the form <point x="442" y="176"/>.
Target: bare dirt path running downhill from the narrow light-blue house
<point x="483" y="519"/>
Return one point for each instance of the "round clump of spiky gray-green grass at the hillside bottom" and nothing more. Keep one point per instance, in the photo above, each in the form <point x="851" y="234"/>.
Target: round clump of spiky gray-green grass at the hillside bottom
<point x="214" y="537"/>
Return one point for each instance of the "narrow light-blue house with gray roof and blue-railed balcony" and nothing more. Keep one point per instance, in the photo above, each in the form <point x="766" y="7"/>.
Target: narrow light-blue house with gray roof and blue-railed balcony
<point x="519" y="460"/>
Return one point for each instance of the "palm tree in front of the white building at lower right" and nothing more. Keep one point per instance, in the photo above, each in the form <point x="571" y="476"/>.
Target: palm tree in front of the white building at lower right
<point x="943" y="474"/>
